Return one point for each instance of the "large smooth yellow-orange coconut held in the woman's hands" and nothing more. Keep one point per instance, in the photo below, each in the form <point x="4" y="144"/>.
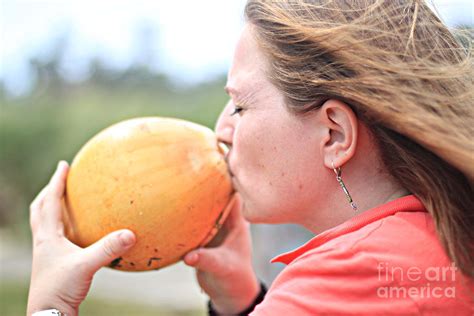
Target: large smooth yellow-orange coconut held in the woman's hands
<point x="165" y="179"/>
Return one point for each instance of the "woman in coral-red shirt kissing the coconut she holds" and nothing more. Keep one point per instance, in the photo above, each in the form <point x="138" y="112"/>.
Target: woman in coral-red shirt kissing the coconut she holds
<point x="353" y="119"/>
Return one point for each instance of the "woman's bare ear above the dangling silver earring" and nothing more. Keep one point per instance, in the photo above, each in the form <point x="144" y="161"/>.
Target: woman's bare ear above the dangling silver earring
<point x="340" y="126"/>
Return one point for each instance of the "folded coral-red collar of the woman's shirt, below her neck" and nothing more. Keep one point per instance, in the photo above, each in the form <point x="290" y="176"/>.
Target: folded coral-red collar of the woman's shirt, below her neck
<point x="408" y="203"/>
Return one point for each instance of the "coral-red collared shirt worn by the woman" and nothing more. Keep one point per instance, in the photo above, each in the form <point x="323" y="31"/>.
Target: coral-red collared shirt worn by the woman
<point x="386" y="260"/>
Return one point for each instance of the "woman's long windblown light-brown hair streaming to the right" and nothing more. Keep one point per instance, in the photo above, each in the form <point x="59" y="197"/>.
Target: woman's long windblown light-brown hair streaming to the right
<point x="404" y="75"/>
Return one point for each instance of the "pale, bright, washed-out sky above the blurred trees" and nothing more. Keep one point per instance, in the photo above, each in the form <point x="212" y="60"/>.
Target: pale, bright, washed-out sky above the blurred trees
<point x="191" y="40"/>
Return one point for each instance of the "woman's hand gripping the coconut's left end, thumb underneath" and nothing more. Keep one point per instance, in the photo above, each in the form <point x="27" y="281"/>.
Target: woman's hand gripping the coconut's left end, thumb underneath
<point x="61" y="271"/>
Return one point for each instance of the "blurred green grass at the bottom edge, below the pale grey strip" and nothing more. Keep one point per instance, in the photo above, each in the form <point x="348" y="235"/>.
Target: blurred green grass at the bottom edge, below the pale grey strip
<point x="13" y="298"/>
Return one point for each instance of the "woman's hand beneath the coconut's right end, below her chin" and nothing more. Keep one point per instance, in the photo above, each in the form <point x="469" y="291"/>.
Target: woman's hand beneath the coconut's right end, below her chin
<point x="224" y="267"/>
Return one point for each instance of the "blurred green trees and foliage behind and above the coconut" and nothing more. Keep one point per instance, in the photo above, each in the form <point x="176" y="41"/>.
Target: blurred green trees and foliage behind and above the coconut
<point x="57" y="117"/>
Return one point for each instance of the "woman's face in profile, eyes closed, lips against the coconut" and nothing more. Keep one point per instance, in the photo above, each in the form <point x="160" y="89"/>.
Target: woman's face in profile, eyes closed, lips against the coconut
<point x="274" y="158"/>
